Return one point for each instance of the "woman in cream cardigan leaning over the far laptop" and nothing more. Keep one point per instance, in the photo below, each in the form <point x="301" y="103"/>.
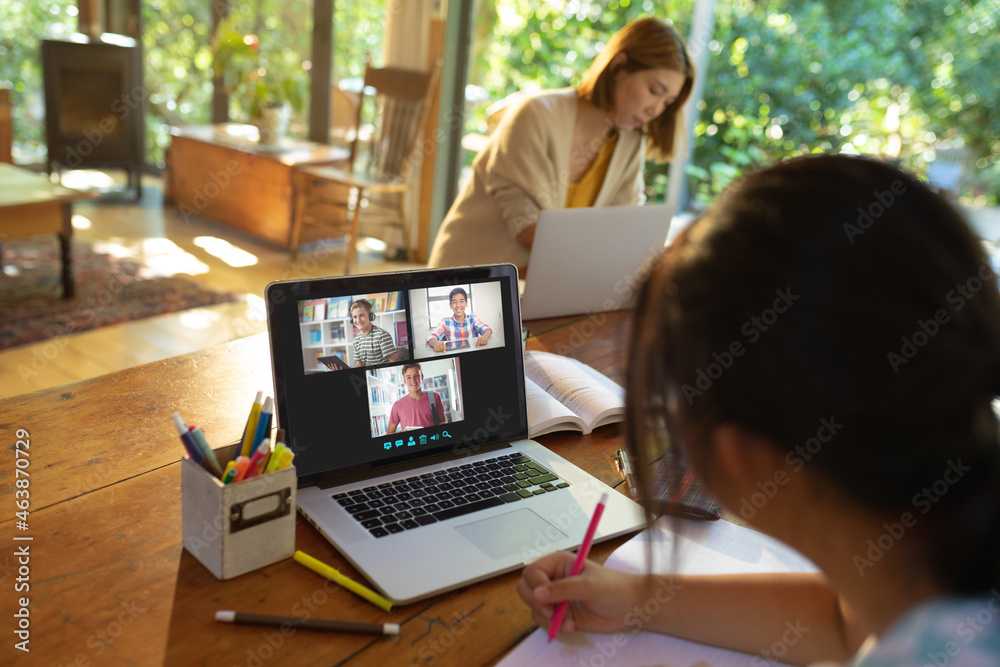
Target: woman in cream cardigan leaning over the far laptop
<point x="573" y="147"/>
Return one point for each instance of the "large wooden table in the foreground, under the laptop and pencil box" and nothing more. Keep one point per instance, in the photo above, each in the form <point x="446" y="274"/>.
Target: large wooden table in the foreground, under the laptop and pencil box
<point x="110" y="583"/>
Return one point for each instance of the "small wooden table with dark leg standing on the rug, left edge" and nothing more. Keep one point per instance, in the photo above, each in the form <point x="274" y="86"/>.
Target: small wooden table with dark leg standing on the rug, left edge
<point x="30" y="204"/>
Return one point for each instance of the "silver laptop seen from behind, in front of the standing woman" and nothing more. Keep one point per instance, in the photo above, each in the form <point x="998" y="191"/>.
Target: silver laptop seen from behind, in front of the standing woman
<point x="592" y="260"/>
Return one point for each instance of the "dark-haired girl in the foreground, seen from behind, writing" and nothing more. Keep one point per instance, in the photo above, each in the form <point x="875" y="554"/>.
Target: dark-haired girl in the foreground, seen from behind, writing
<point x="862" y="322"/>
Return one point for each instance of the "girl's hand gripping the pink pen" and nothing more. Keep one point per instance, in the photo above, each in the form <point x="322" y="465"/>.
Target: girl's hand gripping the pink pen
<point x="600" y="598"/>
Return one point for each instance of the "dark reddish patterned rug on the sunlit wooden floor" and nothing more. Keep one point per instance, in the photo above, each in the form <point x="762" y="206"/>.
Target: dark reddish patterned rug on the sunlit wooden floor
<point x="109" y="290"/>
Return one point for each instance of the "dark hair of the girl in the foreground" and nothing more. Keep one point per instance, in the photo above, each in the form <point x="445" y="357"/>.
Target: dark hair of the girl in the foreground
<point x="838" y="307"/>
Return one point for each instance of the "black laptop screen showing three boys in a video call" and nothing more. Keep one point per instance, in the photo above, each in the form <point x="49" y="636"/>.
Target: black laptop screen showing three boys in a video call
<point x="381" y="369"/>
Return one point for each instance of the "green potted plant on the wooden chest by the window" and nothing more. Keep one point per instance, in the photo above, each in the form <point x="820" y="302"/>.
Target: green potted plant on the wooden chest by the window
<point x="268" y="89"/>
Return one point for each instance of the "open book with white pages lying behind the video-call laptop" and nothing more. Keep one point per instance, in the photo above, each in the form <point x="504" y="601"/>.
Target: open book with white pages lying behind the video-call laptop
<point x="564" y="394"/>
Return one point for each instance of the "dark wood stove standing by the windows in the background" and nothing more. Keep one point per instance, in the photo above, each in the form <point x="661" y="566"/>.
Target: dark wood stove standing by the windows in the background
<point x="94" y="104"/>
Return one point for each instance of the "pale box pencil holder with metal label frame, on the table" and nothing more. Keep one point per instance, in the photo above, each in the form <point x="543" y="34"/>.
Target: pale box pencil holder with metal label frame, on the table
<point x="238" y="527"/>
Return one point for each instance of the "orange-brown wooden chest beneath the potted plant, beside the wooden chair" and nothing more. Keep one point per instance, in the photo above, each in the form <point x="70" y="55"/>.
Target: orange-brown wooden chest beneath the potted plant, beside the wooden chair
<point x="221" y="173"/>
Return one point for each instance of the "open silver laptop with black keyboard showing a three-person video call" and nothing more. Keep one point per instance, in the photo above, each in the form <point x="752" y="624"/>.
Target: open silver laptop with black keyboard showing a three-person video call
<point x="424" y="482"/>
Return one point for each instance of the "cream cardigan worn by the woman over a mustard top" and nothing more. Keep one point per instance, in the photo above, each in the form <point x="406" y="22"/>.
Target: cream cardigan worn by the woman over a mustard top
<point x="524" y="169"/>
